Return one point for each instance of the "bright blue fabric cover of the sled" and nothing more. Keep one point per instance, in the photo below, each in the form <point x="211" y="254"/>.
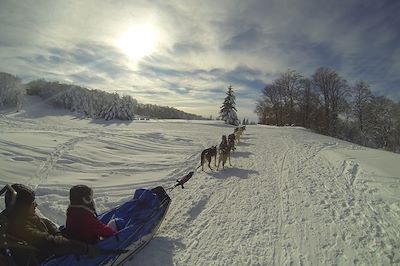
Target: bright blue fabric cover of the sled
<point x="141" y="215"/>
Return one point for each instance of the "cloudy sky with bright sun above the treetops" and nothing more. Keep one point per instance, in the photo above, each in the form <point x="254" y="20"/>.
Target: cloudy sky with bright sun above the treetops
<point x="185" y="54"/>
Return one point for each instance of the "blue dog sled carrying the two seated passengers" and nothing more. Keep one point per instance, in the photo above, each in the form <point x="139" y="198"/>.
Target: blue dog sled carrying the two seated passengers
<point x="137" y="219"/>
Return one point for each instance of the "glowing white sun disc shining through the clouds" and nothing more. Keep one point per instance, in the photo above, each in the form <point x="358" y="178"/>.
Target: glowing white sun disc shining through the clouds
<point x="138" y="41"/>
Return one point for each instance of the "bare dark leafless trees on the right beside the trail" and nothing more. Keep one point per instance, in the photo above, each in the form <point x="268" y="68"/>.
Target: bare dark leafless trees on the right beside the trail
<point x="328" y="104"/>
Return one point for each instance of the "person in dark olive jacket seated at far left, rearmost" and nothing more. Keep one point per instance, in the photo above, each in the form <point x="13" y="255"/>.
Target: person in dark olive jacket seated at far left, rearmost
<point x="39" y="233"/>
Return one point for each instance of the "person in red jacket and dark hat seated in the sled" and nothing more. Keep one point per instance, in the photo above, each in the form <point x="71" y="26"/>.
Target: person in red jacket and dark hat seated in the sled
<point x="82" y="223"/>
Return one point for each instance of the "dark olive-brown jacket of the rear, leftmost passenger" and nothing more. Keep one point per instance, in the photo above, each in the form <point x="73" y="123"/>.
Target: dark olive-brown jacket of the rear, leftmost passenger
<point x="44" y="236"/>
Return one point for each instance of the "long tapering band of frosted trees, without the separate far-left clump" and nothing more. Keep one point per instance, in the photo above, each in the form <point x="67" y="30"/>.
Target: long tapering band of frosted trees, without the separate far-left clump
<point x="99" y="104"/>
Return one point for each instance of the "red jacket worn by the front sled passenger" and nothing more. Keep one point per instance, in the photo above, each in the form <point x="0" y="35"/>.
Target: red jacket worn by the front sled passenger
<point x="82" y="224"/>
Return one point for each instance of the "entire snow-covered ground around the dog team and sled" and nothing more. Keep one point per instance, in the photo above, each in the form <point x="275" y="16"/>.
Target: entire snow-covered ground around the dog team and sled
<point x="292" y="197"/>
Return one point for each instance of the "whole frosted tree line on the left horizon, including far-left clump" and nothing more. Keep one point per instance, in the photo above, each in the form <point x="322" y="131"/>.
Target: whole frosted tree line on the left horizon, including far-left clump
<point x="92" y="103"/>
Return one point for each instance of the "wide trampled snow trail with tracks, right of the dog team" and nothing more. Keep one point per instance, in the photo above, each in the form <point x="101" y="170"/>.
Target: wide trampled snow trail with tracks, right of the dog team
<point x="285" y="201"/>
